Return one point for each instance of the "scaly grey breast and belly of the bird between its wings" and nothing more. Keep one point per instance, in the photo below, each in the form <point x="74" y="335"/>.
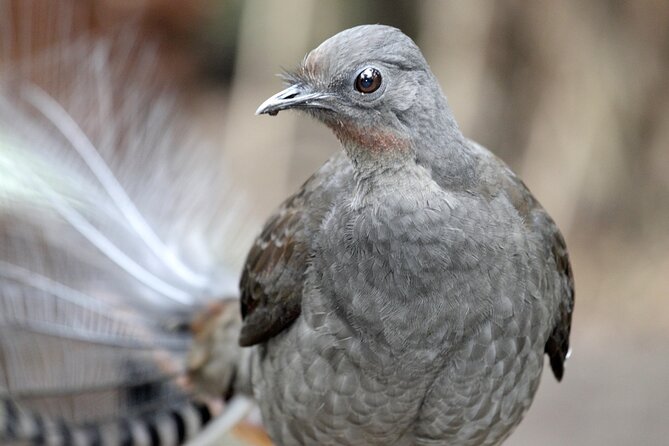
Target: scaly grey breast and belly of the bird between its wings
<point x="389" y="348"/>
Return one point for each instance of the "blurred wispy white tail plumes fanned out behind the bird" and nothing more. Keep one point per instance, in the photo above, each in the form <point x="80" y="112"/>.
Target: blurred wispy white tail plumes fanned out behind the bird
<point x="117" y="224"/>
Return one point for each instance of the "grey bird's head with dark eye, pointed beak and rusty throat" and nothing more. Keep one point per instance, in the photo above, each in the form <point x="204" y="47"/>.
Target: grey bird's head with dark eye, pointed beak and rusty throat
<point x="364" y="83"/>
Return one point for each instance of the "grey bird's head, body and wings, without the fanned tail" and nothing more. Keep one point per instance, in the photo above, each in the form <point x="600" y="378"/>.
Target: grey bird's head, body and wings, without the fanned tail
<point x="407" y="293"/>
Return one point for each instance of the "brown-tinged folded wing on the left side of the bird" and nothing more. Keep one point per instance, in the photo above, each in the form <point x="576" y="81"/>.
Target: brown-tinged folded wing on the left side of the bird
<point x="272" y="279"/>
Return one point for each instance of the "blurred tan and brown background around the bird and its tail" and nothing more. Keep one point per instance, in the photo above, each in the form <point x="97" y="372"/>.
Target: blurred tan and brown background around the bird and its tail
<point x="573" y="95"/>
